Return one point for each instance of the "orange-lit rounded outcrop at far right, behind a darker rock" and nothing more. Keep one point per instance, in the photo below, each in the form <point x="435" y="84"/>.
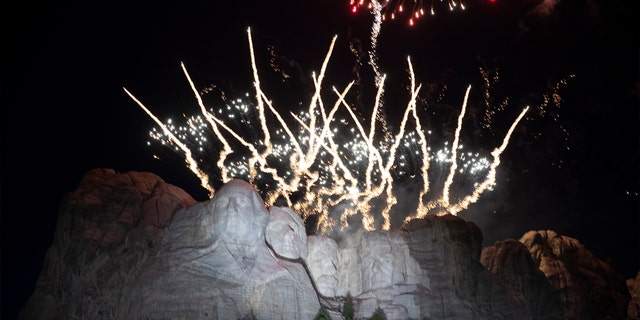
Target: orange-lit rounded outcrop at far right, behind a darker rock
<point x="589" y="288"/>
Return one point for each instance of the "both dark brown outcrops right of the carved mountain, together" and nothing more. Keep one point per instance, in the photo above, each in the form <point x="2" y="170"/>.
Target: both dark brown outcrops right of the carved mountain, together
<point x="567" y="277"/>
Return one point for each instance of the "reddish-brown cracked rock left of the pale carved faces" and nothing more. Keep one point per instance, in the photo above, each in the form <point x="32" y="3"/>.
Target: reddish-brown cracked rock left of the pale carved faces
<point x="106" y="230"/>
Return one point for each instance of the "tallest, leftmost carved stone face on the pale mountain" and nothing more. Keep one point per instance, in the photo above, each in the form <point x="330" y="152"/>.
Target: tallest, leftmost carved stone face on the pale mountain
<point x="239" y="217"/>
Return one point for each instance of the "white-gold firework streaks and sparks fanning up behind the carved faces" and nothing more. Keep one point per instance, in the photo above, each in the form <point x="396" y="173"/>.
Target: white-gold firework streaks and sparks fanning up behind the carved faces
<point x="329" y="167"/>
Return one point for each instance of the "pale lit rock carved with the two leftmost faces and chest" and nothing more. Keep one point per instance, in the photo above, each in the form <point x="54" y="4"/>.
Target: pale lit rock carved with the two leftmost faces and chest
<point x="215" y="262"/>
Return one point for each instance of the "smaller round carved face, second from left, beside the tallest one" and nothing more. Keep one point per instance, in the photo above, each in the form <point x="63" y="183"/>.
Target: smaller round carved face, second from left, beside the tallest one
<point x="286" y="233"/>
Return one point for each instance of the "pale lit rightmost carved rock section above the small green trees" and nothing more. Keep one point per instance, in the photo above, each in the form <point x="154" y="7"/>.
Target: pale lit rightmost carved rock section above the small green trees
<point x="377" y="270"/>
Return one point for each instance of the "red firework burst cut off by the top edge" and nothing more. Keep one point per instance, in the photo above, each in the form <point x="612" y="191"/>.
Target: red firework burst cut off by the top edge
<point x="412" y="10"/>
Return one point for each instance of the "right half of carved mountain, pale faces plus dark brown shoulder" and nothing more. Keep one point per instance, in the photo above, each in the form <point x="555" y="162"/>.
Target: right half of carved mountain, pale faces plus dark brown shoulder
<point x="428" y="270"/>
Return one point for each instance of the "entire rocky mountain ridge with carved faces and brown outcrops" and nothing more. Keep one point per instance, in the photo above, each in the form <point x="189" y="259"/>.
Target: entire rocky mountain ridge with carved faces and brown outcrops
<point x="130" y="246"/>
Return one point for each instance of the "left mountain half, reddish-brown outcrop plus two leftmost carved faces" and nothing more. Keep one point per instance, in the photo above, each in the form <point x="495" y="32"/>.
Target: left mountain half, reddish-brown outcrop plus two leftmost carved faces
<point x="129" y="246"/>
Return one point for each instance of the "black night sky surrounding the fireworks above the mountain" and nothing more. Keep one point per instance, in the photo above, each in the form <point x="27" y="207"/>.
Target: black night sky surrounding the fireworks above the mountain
<point x="573" y="169"/>
